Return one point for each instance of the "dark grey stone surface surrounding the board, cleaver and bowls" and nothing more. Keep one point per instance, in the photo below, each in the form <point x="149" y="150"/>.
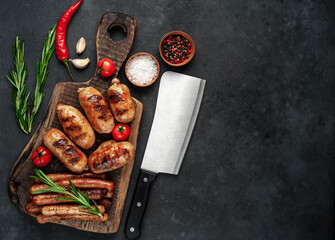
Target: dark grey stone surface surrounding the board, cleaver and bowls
<point x="260" y="164"/>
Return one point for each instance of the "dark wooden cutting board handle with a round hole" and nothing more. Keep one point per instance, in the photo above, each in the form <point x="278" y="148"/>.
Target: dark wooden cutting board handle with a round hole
<point x="117" y="51"/>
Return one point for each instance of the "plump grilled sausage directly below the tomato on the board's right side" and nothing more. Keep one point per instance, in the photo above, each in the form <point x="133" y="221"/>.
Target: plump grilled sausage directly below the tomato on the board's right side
<point x="111" y="155"/>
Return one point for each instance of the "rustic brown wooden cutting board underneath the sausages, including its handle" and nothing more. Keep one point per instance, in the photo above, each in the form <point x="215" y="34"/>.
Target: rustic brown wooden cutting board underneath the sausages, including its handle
<point x="66" y="93"/>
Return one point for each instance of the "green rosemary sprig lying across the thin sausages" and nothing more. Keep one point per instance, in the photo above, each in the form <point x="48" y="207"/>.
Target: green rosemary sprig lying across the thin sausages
<point x="74" y="195"/>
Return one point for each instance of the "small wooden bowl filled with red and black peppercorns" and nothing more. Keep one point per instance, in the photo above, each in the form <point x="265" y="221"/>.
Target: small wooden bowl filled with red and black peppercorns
<point x="176" y="48"/>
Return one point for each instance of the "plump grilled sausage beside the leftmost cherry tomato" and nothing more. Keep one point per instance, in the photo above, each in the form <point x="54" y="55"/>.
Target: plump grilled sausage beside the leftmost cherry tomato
<point x="65" y="150"/>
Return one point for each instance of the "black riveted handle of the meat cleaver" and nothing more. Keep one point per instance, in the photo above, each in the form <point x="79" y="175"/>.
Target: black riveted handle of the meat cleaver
<point x="138" y="204"/>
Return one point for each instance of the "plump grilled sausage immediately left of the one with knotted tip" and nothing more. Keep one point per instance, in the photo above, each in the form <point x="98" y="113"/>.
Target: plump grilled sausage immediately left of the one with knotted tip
<point x="96" y="109"/>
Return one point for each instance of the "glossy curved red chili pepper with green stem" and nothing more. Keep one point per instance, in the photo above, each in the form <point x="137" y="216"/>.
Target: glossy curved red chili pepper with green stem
<point x="60" y="42"/>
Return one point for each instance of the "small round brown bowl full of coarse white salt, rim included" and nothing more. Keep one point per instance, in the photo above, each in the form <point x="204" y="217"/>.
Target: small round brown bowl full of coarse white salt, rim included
<point x="142" y="69"/>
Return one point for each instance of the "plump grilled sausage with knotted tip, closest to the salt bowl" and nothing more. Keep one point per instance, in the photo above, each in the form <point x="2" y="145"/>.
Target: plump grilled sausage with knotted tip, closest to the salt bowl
<point x="121" y="102"/>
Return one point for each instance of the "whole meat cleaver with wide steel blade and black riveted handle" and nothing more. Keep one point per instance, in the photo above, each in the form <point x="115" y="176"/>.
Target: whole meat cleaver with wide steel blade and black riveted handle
<point x="178" y="103"/>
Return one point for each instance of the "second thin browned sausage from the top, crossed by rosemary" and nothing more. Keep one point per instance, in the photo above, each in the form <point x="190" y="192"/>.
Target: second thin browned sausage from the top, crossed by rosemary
<point x="81" y="183"/>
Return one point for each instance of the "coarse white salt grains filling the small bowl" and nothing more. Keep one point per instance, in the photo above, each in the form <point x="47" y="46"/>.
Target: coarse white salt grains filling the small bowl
<point x="142" y="69"/>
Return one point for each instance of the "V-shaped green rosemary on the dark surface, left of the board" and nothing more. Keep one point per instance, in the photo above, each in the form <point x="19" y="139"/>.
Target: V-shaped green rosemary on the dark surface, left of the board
<point x="18" y="77"/>
